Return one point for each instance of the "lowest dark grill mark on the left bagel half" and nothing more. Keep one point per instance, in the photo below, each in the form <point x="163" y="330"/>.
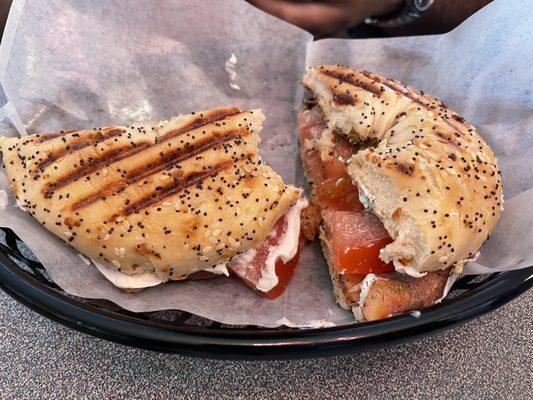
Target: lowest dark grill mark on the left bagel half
<point x="169" y="190"/>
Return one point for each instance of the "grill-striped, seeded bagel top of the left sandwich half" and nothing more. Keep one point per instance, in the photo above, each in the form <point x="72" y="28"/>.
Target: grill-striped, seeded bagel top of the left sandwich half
<point x="175" y="197"/>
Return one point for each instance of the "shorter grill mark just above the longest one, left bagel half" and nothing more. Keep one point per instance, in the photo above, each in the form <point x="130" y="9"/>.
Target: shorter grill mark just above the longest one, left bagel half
<point x="108" y="158"/>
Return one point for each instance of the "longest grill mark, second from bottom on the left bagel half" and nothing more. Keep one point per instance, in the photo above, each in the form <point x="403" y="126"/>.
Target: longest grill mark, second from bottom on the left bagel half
<point x="168" y="161"/>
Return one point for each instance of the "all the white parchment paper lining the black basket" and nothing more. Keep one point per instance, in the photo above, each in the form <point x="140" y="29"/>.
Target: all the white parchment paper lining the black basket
<point x="79" y="64"/>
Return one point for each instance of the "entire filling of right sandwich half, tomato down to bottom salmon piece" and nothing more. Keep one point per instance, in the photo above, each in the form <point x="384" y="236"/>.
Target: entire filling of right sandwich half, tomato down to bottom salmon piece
<point x="355" y="237"/>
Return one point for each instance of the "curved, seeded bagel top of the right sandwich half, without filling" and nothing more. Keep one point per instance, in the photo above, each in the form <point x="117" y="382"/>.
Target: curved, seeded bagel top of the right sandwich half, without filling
<point x="432" y="179"/>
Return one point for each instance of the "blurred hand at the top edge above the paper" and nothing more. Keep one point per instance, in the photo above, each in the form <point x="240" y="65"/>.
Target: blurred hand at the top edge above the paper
<point x="326" y="16"/>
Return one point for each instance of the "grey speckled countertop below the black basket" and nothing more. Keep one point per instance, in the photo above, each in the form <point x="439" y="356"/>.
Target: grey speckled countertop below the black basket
<point x="488" y="358"/>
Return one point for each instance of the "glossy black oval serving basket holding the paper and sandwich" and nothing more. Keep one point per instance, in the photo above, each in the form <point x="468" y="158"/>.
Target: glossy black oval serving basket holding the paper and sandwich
<point x="22" y="277"/>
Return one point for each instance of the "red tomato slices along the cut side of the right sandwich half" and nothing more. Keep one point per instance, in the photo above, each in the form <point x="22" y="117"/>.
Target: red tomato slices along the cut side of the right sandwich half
<point x="357" y="235"/>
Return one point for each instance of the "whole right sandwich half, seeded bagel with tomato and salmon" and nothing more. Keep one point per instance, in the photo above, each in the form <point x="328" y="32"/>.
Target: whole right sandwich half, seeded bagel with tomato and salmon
<point x="407" y="191"/>
